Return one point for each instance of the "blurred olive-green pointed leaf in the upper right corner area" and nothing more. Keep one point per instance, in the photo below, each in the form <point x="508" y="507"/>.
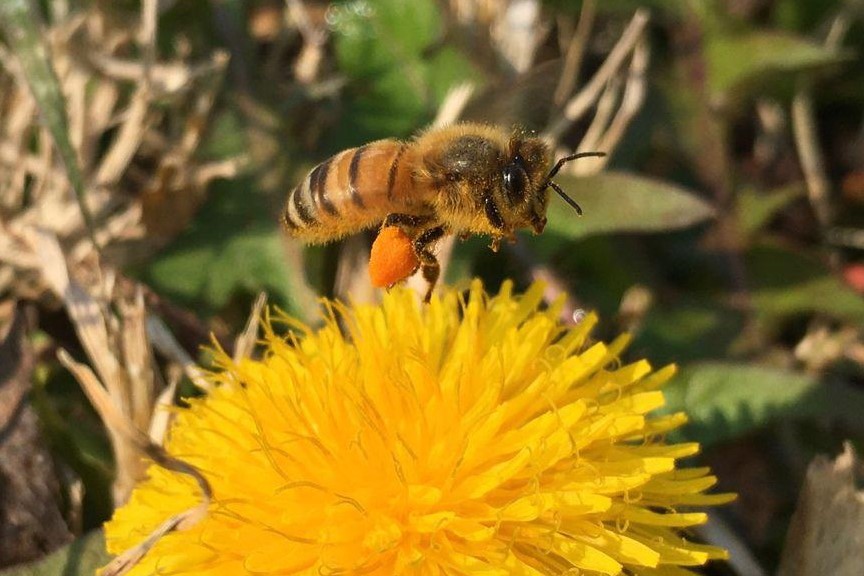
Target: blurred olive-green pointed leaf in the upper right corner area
<point x="736" y="59"/>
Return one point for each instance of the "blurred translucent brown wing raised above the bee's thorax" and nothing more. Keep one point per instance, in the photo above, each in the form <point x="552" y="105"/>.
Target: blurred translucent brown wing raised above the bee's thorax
<point x="526" y="101"/>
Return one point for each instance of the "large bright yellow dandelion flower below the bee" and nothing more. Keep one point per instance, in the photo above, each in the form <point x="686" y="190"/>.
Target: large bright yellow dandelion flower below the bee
<point x="471" y="436"/>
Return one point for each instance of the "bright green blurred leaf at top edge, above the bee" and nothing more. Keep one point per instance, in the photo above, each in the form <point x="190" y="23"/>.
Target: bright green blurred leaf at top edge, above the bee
<point x="398" y="75"/>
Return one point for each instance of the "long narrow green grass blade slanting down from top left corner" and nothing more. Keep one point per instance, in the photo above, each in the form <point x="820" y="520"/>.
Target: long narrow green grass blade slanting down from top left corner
<point x="21" y="25"/>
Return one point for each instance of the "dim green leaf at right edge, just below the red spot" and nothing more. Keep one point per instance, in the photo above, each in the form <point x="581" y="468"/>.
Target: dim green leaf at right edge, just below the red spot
<point x="785" y="282"/>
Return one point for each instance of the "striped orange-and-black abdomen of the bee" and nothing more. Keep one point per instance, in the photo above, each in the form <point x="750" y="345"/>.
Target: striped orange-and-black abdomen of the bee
<point x="346" y="193"/>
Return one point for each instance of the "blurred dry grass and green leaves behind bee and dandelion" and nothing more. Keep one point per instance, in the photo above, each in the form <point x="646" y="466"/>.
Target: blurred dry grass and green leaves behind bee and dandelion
<point x="146" y="149"/>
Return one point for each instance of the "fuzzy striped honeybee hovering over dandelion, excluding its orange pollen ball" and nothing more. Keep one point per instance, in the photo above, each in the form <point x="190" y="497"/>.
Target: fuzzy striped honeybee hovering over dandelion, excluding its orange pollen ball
<point x="461" y="179"/>
